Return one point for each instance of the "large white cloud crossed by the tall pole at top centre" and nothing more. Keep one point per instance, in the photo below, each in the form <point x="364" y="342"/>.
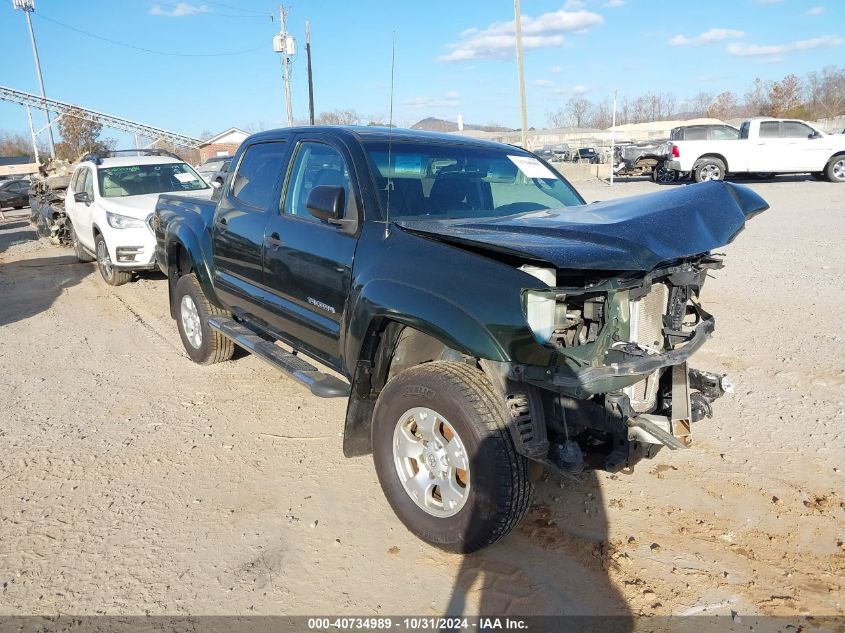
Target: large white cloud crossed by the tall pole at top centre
<point x="498" y="41"/>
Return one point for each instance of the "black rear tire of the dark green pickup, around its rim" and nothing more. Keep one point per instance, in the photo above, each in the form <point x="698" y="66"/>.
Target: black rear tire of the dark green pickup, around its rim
<point x="213" y="347"/>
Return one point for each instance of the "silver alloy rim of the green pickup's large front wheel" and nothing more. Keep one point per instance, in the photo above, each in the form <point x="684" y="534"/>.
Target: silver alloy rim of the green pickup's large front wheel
<point x="431" y="462"/>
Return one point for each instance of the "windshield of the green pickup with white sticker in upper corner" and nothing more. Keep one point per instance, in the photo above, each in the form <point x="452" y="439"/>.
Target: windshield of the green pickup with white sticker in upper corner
<point x="425" y="180"/>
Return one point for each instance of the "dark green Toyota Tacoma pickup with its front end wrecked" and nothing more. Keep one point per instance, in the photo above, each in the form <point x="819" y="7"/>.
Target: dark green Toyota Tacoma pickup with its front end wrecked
<point x="484" y="322"/>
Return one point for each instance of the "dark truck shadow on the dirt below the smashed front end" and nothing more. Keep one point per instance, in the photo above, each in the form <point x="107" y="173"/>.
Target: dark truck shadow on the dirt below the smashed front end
<point x="554" y="563"/>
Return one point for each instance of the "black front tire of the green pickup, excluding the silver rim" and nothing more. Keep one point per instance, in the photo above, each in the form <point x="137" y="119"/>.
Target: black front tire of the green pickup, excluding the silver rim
<point x="499" y="488"/>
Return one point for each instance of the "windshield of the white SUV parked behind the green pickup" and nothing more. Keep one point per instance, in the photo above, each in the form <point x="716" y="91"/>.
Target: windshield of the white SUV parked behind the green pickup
<point x="139" y="180"/>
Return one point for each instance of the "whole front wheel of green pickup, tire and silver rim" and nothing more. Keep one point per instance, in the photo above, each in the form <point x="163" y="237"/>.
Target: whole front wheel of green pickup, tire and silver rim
<point x="445" y="459"/>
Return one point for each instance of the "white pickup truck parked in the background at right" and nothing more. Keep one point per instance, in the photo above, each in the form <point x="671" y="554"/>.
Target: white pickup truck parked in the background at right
<point x="764" y="146"/>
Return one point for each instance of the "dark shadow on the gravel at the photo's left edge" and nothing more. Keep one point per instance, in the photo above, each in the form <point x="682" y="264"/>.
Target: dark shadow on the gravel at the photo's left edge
<point x="30" y="286"/>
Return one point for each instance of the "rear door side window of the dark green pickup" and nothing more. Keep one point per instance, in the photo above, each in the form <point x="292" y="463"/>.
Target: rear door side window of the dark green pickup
<point x="258" y="172"/>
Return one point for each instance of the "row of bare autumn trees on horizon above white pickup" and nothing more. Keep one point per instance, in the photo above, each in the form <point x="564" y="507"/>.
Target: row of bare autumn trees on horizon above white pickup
<point x="817" y="95"/>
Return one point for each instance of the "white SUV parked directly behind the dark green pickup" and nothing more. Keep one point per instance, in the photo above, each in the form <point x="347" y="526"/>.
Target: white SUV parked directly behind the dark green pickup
<point x="111" y="200"/>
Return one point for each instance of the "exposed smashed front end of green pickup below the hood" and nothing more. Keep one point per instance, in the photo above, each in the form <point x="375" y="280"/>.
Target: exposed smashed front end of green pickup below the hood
<point x="621" y="388"/>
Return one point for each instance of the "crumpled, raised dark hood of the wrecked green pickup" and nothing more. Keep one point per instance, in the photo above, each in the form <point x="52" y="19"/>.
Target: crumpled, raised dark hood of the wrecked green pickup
<point x="635" y="233"/>
